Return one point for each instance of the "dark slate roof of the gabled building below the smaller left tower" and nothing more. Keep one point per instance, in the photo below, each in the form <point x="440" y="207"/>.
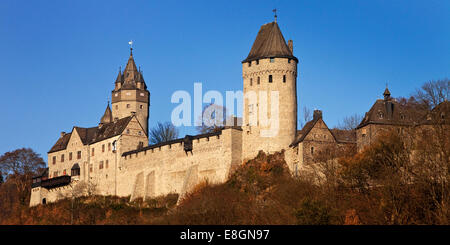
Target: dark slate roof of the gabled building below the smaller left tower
<point x="94" y="134"/>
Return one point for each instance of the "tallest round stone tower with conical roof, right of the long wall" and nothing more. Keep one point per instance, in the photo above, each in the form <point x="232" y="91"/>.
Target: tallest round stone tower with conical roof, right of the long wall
<point x="270" y="92"/>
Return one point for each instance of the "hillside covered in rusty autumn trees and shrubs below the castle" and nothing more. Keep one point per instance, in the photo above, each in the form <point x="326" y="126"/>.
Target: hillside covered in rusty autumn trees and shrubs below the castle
<point x="370" y="187"/>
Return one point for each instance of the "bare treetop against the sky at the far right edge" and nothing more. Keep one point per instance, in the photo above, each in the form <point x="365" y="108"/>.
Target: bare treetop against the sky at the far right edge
<point x="433" y="92"/>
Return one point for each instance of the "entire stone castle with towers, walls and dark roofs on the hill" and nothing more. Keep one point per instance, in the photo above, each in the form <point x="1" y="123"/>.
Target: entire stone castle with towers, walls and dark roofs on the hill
<point x="114" y="158"/>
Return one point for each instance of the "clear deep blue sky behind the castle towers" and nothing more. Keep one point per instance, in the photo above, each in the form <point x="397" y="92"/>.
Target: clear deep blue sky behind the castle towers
<point x="59" y="59"/>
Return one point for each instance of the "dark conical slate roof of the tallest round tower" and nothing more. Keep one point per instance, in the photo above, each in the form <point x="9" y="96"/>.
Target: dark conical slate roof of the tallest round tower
<point x="269" y="43"/>
